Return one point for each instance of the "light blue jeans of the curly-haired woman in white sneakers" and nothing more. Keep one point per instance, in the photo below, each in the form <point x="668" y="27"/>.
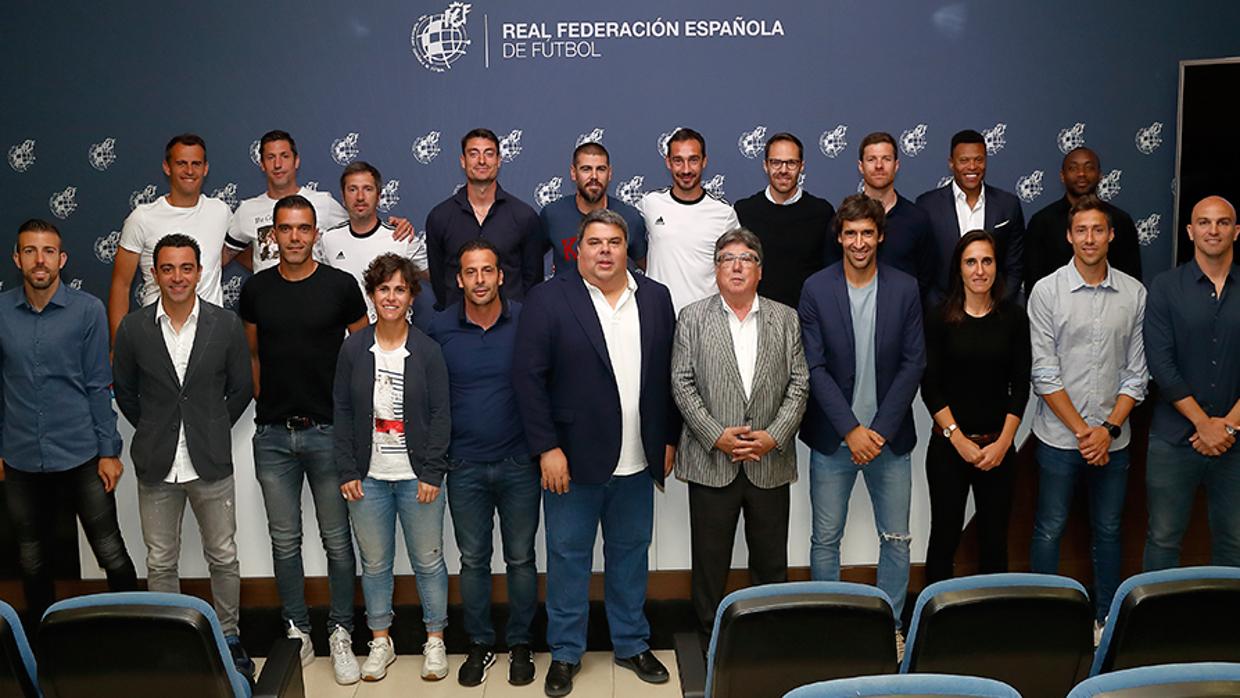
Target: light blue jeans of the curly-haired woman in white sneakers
<point x="375" y="518"/>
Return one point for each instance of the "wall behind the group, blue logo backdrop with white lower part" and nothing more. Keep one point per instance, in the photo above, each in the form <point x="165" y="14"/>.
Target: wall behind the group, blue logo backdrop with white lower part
<point x="92" y="92"/>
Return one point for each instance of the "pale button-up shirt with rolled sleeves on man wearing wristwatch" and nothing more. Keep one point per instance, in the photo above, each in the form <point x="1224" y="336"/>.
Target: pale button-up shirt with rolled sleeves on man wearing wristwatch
<point x="1087" y="340"/>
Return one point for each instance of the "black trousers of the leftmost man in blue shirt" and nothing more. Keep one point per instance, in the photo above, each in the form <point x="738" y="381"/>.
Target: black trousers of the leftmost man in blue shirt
<point x="34" y="499"/>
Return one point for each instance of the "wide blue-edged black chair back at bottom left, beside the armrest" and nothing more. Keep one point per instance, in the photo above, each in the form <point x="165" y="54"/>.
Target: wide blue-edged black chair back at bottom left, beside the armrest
<point x="136" y="644"/>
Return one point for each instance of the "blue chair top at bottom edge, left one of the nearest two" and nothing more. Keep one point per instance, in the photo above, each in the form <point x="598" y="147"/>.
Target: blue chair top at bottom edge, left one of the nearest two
<point x="908" y="685"/>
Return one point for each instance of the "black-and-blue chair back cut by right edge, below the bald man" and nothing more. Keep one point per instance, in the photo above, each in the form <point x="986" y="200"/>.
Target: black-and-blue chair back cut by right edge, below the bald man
<point x="1171" y="617"/>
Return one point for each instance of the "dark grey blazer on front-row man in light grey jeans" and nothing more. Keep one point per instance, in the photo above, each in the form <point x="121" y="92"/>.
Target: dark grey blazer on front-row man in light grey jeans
<point x="218" y="389"/>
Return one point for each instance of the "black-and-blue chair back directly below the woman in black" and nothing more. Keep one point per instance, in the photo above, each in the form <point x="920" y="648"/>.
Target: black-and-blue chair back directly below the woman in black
<point x="1032" y="632"/>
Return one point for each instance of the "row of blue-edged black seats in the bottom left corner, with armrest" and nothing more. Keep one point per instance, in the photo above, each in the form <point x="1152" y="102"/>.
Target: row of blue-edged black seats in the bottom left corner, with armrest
<point x="136" y="644"/>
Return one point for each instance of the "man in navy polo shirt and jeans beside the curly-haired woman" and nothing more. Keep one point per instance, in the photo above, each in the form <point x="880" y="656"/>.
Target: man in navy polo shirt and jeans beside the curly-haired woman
<point x="493" y="472"/>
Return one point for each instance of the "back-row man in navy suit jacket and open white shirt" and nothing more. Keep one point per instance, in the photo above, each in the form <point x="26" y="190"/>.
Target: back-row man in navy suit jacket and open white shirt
<point x="969" y="204"/>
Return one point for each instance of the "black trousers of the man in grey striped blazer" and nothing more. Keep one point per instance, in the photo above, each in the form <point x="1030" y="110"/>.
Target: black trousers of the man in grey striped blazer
<point x="714" y="515"/>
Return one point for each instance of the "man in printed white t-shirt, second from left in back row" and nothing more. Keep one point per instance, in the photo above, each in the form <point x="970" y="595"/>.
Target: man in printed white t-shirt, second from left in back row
<point x="251" y="226"/>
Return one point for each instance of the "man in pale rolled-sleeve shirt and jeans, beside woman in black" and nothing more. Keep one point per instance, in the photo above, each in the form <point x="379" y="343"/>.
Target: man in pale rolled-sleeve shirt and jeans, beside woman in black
<point x="1089" y="369"/>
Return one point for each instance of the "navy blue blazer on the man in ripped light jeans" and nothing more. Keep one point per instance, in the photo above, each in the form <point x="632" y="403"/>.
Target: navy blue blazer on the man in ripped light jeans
<point x="830" y="353"/>
